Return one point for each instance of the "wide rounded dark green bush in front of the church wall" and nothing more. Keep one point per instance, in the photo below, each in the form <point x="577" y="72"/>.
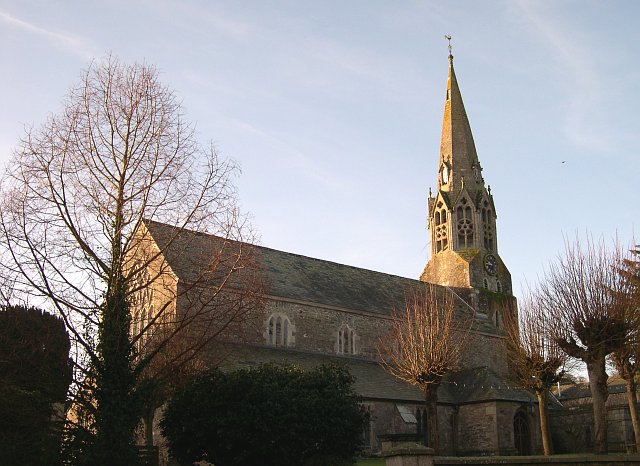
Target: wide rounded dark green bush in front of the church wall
<point x="270" y="415"/>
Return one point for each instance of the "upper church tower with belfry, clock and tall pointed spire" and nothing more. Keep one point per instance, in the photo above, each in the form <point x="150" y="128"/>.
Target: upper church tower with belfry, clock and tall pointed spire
<point x="462" y="215"/>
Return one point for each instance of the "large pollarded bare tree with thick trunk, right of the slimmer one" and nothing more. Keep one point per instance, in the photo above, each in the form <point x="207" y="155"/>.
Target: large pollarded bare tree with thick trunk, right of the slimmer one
<point x="586" y="298"/>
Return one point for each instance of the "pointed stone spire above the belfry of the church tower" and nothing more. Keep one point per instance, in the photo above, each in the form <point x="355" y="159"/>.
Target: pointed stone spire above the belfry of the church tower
<point x="458" y="157"/>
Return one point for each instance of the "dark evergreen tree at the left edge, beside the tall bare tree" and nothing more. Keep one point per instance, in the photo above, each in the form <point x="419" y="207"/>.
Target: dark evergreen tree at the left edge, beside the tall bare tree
<point x="35" y="373"/>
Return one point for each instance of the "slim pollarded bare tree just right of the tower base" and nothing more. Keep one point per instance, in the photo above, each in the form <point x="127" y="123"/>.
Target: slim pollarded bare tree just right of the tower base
<point x="536" y="360"/>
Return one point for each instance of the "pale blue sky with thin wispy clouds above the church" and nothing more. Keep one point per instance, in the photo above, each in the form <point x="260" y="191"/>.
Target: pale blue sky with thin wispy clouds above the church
<point x="333" y="110"/>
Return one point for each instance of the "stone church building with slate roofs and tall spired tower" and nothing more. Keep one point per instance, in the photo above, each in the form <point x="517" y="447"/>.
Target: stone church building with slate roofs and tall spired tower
<point x="318" y="311"/>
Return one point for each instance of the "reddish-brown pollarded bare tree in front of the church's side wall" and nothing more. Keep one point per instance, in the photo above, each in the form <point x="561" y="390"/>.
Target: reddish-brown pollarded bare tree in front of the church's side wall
<point x="424" y="344"/>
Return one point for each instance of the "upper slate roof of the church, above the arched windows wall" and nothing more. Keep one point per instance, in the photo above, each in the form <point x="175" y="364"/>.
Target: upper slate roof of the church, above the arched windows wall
<point x="293" y="276"/>
